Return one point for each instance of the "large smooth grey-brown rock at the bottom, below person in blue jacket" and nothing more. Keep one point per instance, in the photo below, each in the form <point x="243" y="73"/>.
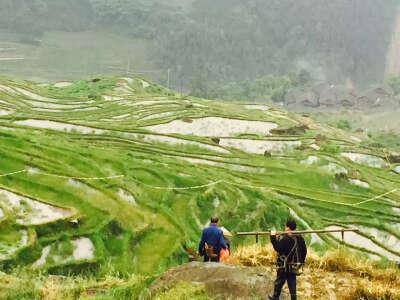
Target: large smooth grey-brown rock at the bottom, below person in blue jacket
<point x="221" y="281"/>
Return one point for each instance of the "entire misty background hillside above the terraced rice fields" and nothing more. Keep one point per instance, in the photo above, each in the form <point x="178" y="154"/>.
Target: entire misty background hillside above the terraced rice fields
<point x="204" y="44"/>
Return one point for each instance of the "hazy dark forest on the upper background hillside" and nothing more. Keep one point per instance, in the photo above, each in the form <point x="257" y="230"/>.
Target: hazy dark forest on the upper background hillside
<point x="206" y="43"/>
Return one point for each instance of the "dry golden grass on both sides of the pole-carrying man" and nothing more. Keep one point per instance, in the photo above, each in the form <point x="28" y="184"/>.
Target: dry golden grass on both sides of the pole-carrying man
<point x="338" y="274"/>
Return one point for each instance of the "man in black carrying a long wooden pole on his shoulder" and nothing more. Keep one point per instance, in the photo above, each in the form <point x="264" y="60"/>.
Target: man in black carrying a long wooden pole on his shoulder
<point x="292" y="253"/>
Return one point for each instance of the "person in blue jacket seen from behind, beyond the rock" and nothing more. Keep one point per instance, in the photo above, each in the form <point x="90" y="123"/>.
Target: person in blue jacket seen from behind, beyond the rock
<point x="212" y="241"/>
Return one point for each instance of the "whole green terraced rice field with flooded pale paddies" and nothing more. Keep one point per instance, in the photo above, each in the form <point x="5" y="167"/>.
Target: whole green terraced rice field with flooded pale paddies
<point x="121" y="171"/>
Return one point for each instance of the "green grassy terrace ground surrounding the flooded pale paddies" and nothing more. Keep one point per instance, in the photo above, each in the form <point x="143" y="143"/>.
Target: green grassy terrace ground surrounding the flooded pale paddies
<point x="153" y="234"/>
